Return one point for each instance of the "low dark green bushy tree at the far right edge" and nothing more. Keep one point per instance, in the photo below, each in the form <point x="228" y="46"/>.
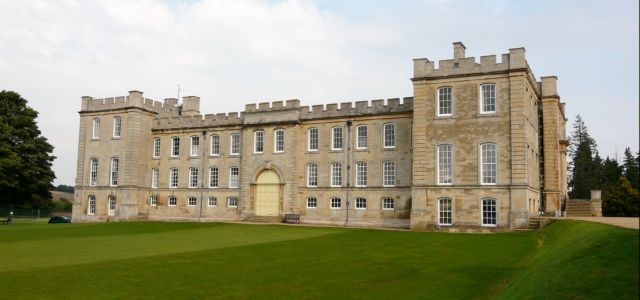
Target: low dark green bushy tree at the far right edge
<point x="622" y="200"/>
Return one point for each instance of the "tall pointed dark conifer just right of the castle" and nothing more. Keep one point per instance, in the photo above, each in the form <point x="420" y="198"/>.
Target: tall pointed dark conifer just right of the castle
<point x="584" y="168"/>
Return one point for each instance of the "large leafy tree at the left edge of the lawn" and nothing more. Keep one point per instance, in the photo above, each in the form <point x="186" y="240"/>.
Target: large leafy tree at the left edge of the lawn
<point x="25" y="156"/>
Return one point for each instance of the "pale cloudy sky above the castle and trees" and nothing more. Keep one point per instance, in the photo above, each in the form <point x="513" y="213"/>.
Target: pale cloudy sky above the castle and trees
<point x="231" y="53"/>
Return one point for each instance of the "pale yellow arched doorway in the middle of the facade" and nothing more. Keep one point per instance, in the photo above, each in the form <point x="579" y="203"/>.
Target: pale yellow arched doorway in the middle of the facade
<point x="268" y="194"/>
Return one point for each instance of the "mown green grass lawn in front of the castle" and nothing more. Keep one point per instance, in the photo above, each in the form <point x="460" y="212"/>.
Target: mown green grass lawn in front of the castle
<point x="568" y="259"/>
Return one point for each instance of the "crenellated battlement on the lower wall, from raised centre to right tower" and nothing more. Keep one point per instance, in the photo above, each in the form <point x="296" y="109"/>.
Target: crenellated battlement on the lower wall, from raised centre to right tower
<point x="348" y="109"/>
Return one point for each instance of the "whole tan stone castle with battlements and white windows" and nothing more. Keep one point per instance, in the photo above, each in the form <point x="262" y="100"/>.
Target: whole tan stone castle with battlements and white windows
<point x="479" y="147"/>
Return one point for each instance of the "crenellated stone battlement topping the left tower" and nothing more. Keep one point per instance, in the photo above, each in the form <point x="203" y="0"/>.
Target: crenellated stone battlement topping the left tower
<point x="134" y="99"/>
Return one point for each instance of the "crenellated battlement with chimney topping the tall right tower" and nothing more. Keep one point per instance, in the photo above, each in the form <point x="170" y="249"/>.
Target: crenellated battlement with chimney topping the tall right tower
<point x="459" y="65"/>
